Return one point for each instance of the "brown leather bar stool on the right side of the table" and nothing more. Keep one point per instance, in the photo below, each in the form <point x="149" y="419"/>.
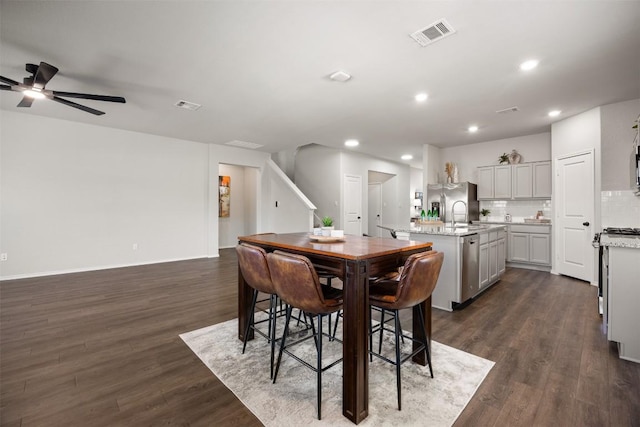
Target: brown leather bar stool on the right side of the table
<point x="415" y="284"/>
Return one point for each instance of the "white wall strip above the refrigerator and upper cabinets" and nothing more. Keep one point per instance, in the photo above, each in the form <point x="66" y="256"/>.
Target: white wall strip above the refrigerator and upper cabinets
<point x="532" y="148"/>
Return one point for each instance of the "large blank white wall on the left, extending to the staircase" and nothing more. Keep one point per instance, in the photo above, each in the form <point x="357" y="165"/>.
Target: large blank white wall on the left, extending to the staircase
<point x="77" y="197"/>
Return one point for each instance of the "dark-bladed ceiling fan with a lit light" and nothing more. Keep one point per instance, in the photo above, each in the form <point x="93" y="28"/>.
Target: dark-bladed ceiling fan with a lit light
<point x="33" y="87"/>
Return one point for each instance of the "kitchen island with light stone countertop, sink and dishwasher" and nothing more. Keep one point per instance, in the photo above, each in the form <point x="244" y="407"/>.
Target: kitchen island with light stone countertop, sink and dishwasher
<point x="474" y="258"/>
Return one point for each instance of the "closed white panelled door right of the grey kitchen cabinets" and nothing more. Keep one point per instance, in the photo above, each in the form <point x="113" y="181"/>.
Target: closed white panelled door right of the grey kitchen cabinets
<point x="575" y="211"/>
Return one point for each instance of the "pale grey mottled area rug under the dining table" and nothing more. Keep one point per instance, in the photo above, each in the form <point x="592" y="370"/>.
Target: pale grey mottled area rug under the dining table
<point x="291" y="401"/>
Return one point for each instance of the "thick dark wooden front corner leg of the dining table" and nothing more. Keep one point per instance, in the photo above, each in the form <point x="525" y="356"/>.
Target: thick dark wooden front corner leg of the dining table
<point x="355" y="385"/>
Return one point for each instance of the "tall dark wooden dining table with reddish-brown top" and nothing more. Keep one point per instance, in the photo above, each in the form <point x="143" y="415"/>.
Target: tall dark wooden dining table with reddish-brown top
<point x="354" y="259"/>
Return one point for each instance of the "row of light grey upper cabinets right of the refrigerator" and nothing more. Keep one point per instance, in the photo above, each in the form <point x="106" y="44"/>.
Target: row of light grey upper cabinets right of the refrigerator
<point x="519" y="181"/>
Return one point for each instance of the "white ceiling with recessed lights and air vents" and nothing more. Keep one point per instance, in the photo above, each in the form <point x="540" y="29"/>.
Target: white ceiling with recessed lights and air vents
<point x="260" y="68"/>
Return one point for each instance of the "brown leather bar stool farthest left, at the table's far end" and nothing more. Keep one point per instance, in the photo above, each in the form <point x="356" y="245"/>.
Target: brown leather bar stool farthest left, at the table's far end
<point x="255" y="270"/>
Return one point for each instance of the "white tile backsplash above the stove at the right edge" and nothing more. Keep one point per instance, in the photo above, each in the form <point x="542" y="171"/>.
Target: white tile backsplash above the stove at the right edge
<point x="619" y="209"/>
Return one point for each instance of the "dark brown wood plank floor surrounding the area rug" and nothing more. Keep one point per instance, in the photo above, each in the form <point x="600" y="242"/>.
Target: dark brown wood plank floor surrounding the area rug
<point x="102" y="349"/>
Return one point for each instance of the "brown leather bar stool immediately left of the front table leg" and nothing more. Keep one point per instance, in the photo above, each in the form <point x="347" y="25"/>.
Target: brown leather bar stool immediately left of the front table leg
<point x="298" y="285"/>
